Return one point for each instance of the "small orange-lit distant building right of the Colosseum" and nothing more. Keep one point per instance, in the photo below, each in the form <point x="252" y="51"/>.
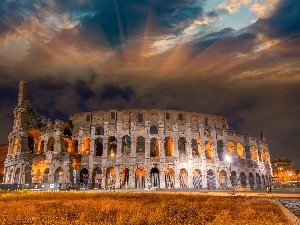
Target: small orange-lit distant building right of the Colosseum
<point x="283" y="170"/>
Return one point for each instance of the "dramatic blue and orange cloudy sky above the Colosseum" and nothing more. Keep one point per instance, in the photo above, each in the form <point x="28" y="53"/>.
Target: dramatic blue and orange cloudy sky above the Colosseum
<point x="235" y="58"/>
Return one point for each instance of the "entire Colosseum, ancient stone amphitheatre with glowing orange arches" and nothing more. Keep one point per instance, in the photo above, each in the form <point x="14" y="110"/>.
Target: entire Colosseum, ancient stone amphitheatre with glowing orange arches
<point x="132" y="148"/>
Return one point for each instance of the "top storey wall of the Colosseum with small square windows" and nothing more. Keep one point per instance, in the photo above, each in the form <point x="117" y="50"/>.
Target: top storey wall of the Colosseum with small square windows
<point x="154" y="116"/>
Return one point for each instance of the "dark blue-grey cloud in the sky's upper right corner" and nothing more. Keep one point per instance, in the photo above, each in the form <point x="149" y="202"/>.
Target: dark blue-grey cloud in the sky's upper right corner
<point x="283" y="22"/>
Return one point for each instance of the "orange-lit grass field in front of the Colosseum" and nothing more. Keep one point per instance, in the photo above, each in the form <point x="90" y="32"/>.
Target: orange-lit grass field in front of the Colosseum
<point x="24" y="207"/>
